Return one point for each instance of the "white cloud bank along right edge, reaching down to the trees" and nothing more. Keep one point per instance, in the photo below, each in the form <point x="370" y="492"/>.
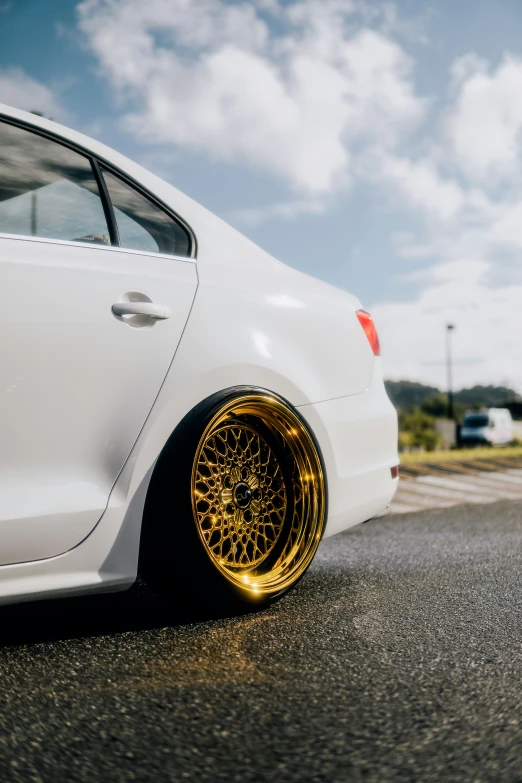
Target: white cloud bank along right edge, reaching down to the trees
<point x="469" y="194"/>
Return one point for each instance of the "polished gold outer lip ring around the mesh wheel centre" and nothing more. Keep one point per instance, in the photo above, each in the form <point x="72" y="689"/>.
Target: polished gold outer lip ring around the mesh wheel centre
<point x="307" y="528"/>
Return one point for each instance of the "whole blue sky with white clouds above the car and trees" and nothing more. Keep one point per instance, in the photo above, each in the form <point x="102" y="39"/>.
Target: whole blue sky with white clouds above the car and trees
<point x="375" y="145"/>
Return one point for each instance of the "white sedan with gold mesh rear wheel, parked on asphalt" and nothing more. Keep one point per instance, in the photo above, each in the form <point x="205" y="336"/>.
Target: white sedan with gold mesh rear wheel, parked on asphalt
<point x="175" y="402"/>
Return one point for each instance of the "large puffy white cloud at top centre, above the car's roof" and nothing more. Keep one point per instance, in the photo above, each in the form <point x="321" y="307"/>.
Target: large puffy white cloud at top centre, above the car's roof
<point x="214" y="76"/>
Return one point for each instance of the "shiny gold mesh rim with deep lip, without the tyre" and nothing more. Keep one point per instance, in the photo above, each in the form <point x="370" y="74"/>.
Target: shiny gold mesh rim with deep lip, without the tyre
<point x="258" y="494"/>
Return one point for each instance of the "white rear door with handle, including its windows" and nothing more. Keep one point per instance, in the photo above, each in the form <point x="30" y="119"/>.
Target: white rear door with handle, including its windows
<point x="88" y="332"/>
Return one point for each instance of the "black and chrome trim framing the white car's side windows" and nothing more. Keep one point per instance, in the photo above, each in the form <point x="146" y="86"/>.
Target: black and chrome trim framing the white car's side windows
<point x="95" y="161"/>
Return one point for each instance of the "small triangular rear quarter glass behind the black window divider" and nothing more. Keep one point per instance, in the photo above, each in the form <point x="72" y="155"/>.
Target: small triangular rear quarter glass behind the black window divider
<point x="141" y="224"/>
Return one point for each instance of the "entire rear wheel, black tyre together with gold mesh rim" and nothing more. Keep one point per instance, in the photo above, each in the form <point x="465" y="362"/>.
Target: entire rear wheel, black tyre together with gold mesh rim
<point x="249" y="535"/>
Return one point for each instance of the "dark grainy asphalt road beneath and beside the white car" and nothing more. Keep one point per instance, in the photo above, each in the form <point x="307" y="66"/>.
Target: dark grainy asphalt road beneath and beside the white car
<point x="398" y="657"/>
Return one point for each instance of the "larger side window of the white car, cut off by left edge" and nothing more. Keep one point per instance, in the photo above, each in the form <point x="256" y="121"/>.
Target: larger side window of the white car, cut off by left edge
<point x="47" y="190"/>
